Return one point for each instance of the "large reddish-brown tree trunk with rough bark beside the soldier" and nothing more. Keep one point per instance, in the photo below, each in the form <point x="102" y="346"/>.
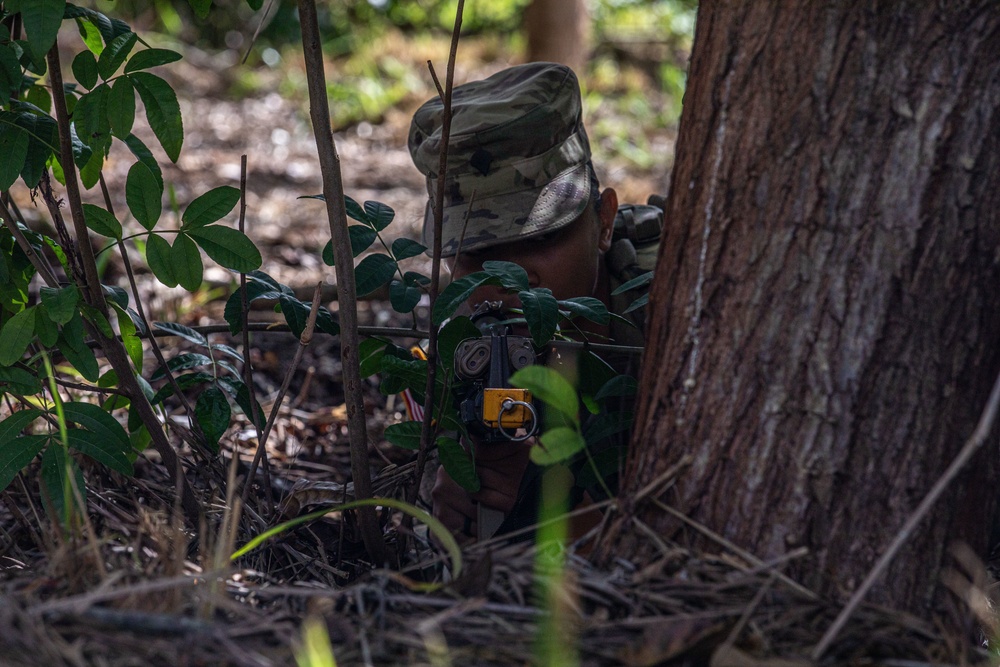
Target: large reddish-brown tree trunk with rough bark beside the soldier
<point x="825" y="316"/>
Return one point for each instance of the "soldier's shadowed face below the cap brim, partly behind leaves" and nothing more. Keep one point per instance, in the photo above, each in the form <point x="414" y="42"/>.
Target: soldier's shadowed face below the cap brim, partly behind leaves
<point x="568" y="261"/>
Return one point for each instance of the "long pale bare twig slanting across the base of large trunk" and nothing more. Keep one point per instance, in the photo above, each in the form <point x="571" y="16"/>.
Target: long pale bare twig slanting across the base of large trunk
<point x="971" y="446"/>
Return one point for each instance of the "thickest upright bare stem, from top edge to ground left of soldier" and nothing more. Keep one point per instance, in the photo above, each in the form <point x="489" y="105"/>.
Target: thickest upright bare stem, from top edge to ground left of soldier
<point x="333" y="191"/>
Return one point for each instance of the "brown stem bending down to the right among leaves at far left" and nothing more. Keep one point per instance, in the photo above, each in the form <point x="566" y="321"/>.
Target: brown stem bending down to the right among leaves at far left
<point x="113" y="348"/>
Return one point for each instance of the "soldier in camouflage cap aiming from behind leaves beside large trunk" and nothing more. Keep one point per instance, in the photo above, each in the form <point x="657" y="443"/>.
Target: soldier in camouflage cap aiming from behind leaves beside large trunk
<point x="520" y="187"/>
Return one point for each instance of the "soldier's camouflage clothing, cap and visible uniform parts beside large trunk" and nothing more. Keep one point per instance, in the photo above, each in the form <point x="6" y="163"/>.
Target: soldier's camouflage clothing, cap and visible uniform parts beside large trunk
<point x="519" y="166"/>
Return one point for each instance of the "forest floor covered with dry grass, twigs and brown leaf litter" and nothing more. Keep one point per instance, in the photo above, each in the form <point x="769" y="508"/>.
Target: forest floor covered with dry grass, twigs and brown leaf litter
<point x="138" y="588"/>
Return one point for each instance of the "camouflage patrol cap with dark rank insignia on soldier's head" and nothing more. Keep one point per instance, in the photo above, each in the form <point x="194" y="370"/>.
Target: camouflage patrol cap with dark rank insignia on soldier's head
<point x="518" y="157"/>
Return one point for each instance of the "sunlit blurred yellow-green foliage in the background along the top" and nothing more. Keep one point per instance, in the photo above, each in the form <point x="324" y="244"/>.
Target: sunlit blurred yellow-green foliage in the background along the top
<point x="378" y="52"/>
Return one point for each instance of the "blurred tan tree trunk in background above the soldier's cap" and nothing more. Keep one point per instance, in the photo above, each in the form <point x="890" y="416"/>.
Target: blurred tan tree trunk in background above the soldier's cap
<point x="558" y="31"/>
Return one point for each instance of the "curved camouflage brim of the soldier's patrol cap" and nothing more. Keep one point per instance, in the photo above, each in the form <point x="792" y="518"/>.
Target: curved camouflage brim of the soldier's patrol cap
<point x="510" y="217"/>
